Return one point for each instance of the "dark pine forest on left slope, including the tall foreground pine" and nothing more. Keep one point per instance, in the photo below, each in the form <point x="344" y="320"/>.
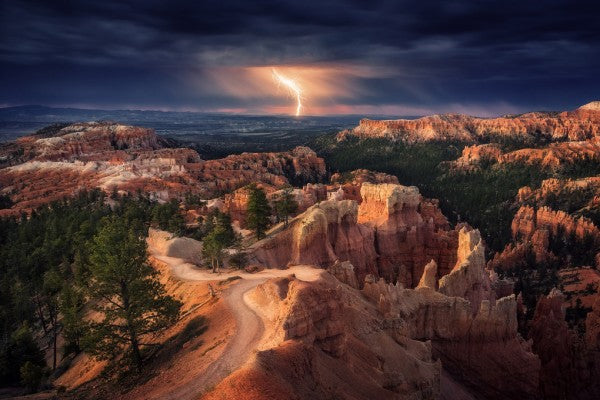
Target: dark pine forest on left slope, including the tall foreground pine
<point x="70" y="254"/>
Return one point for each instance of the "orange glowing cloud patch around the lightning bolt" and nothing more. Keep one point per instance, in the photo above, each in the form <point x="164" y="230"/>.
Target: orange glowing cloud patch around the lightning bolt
<point x="317" y="89"/>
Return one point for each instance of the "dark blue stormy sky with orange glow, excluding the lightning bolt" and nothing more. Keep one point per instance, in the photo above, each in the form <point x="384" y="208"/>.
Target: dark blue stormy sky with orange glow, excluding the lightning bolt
<point x="360" y="57"/>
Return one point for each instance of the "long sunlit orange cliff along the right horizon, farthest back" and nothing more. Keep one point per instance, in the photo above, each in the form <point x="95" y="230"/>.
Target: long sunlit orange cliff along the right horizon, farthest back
<point x="580" y="124"/>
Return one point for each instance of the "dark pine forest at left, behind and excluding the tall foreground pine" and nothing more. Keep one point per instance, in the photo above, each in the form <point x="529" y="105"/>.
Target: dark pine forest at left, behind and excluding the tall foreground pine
<point x="47" y="264"/>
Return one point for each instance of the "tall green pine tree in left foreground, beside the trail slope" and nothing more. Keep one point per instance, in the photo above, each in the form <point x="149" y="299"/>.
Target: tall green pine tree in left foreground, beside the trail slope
<point x="127" y="294"/>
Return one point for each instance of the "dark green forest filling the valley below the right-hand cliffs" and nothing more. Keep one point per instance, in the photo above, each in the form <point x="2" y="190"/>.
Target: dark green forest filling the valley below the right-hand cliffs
<point x="484" y="197"/>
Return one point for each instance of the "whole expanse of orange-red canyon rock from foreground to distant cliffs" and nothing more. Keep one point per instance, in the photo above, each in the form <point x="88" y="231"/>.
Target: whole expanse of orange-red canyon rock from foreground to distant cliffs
<point x="370" y="290"/>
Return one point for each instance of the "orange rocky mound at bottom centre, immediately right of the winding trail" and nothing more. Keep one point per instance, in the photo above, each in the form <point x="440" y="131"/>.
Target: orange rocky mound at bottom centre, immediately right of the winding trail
<point x="325" y="340"/>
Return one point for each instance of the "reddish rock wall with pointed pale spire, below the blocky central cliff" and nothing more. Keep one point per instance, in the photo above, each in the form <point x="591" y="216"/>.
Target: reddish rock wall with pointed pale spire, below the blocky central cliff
<point x="479" y="344"/>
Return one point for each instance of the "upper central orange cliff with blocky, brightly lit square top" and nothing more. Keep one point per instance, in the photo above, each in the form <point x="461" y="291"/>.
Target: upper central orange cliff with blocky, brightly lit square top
<point x="393" y="233"/>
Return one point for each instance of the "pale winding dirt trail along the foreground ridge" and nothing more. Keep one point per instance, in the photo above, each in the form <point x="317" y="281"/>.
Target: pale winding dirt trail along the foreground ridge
<point x="249" y="326"/>
